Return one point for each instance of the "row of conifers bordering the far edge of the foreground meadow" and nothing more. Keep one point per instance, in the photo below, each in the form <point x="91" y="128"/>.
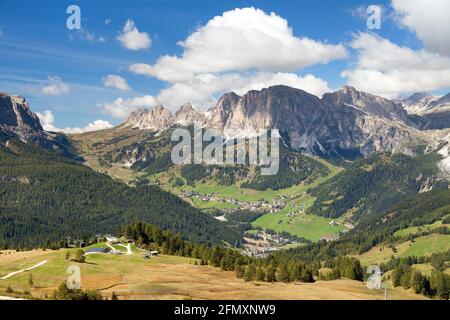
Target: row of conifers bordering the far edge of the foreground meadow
<point x="271" y="269"/>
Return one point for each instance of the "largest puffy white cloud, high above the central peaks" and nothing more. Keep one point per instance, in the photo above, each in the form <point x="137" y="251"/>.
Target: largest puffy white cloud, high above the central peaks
<point x="243" y="39"/>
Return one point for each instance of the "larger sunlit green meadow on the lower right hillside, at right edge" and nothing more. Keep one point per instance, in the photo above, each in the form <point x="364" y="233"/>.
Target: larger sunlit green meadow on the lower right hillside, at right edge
<point x="422" y="246"/>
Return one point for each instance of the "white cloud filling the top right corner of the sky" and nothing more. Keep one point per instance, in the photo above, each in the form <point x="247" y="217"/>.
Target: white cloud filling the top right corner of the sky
<point x="428" y="19"/>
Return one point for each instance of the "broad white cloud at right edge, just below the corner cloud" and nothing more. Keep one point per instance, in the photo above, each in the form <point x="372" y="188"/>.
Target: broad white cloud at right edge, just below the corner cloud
<point x="388" y="69"/>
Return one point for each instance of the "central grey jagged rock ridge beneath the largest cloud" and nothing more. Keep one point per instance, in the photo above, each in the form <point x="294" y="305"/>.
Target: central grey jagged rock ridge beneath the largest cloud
<point x="344" y="124"/>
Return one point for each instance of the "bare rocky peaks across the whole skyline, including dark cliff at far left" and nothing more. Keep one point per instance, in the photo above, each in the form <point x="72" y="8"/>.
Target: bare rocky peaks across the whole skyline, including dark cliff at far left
<point x="345" y="124"/>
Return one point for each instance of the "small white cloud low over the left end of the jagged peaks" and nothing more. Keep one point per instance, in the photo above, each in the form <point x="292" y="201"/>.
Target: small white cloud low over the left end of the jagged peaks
<point x="121" y="108"/>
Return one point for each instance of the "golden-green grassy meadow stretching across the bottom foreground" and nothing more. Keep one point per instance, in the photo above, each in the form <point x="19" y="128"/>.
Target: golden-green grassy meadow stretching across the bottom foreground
<point x="168" y="277"/>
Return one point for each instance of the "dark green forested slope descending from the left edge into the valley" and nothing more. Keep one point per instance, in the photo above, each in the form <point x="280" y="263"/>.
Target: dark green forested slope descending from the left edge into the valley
<point x="45" y="198"/>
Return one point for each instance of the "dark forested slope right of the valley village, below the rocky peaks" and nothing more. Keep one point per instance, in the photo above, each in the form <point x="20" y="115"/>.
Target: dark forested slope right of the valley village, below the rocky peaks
<point x="372" y="185"/>
